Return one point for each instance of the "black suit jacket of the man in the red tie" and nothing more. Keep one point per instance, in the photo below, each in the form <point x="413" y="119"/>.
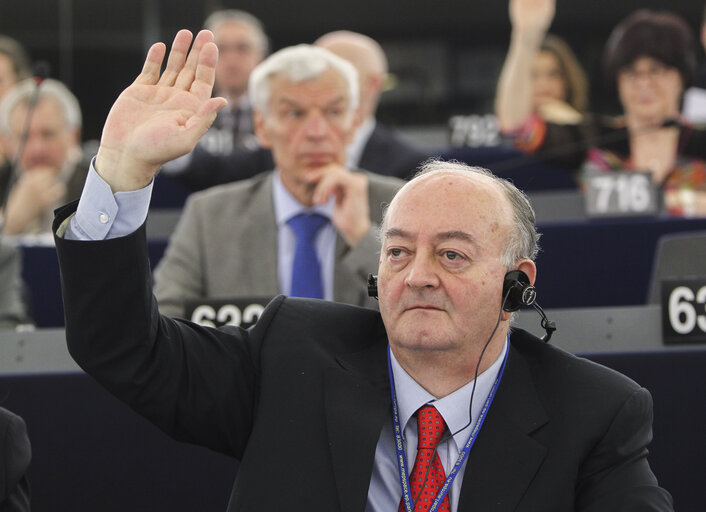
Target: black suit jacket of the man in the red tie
<point x="302" y="397"/>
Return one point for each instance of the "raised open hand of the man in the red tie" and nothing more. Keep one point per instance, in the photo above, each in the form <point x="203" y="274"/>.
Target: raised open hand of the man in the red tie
<point x="160" y="117"/>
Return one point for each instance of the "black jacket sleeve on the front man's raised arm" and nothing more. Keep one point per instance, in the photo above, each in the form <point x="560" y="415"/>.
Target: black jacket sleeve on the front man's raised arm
<point x="197" y="384"/>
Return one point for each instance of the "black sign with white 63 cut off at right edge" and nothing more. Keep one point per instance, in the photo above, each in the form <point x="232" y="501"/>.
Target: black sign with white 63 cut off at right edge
<point x="684" y="311"/>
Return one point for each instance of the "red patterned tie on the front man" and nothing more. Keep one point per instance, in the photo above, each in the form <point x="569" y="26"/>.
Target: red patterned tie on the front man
<point x="425" y="481"/>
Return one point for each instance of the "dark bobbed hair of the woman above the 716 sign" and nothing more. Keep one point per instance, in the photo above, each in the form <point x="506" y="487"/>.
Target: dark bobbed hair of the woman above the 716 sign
<point x="660" y="35"/>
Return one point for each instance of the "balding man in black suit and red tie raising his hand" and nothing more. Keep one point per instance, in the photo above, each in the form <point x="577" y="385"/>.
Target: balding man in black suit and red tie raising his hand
<point x="432" y="403"/>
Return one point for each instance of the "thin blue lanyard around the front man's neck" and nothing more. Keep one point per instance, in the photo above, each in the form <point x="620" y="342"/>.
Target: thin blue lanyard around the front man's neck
<point x="402" y="455"/>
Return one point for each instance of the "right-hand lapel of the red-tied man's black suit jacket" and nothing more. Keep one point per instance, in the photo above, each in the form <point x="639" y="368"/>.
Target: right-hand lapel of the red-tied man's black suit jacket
<point x="505" y="458"/>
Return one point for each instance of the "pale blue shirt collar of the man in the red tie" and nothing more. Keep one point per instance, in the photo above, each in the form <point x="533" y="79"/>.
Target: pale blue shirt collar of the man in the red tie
<point x="453" y="407"/>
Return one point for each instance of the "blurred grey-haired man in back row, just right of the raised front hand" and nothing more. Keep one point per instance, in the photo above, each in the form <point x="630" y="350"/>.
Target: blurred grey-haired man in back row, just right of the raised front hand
<point x="229" y="151"/>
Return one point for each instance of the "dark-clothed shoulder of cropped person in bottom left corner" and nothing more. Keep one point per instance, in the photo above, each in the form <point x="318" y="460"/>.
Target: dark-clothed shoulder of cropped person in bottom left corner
<point x="16" y="454"/>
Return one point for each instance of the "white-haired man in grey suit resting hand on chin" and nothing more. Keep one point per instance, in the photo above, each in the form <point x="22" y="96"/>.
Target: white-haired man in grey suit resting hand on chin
<point x="238" y="239"/>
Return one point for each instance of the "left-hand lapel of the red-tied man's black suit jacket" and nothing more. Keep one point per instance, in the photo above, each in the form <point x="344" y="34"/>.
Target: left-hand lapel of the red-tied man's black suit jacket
<point x="357" y="402"/>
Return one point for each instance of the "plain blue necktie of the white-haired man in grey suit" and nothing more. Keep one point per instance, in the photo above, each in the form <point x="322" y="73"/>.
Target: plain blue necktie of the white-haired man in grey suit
<point x="306" y="269"/>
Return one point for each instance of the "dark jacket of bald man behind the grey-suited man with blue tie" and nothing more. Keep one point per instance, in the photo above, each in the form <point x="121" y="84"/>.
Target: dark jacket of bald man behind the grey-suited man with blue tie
<point x="390" y="154"/>
